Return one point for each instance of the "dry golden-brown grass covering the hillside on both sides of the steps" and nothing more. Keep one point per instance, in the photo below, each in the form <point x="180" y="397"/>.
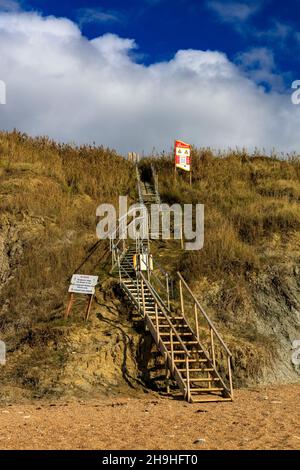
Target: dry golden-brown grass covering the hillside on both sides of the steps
<point x="48" y="198"/>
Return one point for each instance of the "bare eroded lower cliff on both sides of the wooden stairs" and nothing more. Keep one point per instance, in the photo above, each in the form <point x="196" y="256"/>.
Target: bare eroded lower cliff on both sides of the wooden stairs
<point x="113" y="354"/>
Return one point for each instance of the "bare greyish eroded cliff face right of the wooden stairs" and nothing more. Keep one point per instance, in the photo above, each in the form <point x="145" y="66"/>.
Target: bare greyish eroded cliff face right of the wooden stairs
<point x="260" y="330"/>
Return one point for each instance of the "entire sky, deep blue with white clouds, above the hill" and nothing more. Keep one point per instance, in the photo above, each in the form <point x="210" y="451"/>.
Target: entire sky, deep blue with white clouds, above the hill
<point x="135" y="75"/>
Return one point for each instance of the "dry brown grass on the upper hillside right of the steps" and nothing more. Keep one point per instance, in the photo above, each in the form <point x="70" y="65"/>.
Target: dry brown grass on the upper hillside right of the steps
<point x="248" y="199"/>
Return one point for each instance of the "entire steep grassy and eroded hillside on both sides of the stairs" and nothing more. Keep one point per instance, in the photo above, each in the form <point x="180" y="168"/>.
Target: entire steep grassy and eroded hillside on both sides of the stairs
<point x="247" y="275"/>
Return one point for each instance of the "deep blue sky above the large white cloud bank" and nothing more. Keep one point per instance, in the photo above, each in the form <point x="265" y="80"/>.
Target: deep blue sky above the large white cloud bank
<point x="161" y="27"/>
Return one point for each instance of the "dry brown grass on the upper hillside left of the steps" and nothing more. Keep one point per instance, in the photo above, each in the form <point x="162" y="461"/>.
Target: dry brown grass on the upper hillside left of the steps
<point x="49" y="195"/>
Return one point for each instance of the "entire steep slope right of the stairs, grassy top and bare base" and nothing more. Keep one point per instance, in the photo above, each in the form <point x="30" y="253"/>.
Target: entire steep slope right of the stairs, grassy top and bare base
<point x="247" y="274"/>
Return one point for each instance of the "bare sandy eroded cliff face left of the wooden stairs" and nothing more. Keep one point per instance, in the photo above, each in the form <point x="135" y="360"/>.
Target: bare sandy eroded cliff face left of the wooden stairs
<point x="109" y="355"/>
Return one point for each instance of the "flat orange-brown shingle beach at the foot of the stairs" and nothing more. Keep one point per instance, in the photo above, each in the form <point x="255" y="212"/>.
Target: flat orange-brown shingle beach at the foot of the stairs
<point x="262" y="418"/>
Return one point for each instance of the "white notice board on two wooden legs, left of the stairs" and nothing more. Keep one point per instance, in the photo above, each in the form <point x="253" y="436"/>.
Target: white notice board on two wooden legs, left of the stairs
<point x="82" y="284"/>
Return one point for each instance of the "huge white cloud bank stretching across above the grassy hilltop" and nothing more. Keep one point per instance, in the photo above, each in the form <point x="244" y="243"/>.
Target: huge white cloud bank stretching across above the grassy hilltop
<point x="74" y="89"/>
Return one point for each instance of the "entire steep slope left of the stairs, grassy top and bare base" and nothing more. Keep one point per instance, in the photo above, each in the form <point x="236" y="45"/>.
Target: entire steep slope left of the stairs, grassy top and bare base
<point x="48" y="199"/>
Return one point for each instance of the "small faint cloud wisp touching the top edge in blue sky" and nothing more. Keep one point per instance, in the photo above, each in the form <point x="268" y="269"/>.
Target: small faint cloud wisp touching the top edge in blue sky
<point x="233" y="11"/>
